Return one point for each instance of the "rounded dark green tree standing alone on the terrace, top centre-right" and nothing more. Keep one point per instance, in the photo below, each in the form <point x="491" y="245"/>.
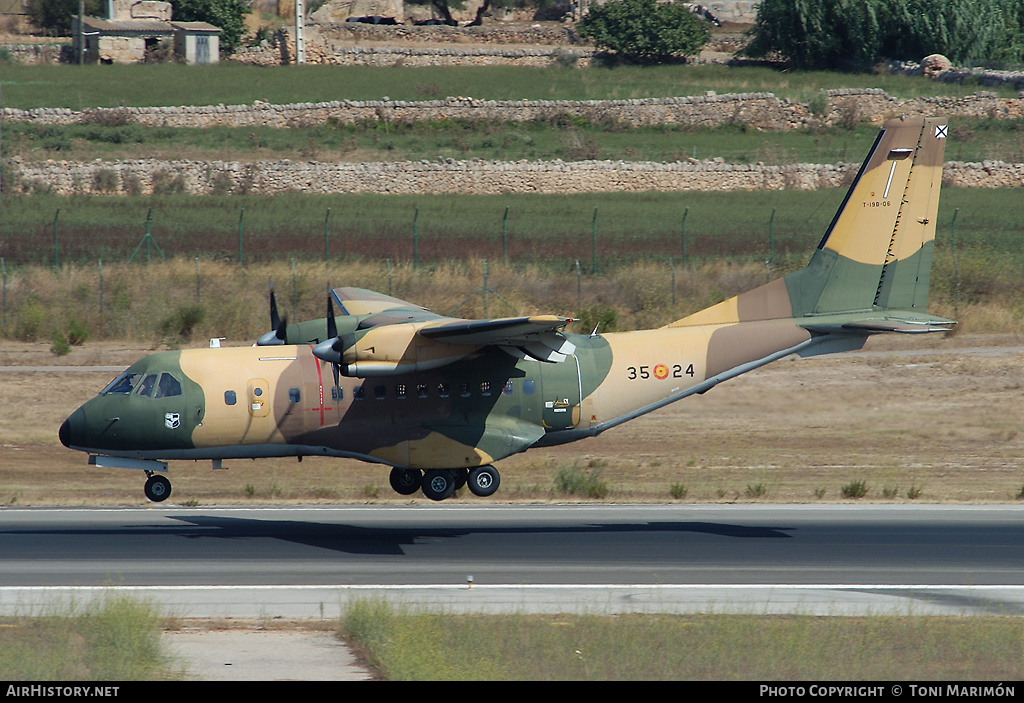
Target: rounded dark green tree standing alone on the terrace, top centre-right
<point x="645" y="31"/>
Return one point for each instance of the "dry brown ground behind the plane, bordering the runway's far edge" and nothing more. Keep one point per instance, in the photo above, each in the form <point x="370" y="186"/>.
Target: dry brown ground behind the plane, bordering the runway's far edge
<point x="935" y="420"/>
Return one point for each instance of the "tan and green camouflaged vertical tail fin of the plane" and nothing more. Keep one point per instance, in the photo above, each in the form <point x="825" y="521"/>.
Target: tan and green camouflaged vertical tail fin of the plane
<point x="877" y="254"/>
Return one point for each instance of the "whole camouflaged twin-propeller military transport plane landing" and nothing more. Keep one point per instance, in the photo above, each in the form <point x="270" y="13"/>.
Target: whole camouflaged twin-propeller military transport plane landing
<point x="441" y="400"/>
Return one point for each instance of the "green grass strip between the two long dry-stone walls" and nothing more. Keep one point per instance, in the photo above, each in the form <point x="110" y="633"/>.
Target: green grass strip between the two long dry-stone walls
<point x="567" y="140"/>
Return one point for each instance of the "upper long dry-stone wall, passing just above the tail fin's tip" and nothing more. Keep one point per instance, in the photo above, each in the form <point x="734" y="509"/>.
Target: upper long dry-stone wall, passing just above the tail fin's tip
<point x="759" y="111"/>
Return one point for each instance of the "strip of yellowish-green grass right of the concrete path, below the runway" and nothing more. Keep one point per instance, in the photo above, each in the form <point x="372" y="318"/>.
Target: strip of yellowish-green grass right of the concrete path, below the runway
<point x="417" y="646"/>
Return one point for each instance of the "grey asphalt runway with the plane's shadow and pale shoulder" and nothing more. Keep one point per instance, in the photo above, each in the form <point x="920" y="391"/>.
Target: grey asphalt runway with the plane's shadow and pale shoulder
<point x="310" y="562"/>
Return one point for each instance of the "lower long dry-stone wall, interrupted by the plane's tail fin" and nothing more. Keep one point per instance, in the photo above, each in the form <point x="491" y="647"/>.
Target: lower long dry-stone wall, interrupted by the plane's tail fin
<point x="451" y="177"/>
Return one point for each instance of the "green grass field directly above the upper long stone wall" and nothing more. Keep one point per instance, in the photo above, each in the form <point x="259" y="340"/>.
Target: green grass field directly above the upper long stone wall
<point x="110" y="86"/>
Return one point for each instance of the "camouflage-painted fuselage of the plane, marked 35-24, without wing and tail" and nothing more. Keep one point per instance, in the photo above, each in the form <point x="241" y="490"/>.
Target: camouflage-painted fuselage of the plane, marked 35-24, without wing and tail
<point x="257" y="402"/>
